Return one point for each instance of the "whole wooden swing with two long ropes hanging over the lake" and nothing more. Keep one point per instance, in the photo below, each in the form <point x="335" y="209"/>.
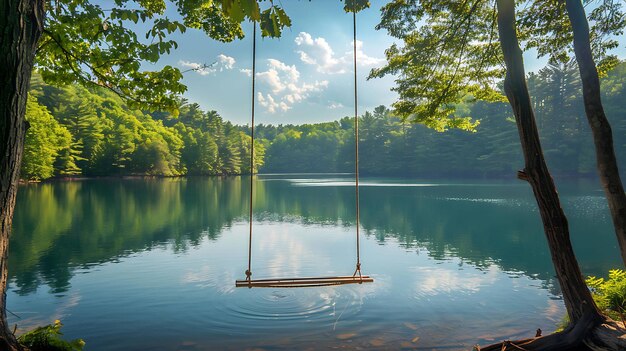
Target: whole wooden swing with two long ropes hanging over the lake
<point x="356" y="277"/>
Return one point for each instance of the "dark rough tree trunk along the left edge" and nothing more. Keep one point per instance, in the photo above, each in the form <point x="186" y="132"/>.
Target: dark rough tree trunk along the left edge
<point x="21" y="24"/>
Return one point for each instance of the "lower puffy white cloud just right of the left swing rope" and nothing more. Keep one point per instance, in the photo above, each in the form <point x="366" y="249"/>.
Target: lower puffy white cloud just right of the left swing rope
<point x="283" y="81"/>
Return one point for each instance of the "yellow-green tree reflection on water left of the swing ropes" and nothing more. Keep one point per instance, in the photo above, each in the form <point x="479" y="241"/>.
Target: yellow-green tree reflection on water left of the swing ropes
<point x="61" y="226"/>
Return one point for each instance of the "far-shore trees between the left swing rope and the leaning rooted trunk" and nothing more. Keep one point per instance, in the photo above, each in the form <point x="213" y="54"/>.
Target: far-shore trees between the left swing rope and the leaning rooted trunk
<point x="390" y="146"/>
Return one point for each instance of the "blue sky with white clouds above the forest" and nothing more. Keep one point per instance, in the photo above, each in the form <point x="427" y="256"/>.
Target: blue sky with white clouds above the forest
<point x="306" y="76"/>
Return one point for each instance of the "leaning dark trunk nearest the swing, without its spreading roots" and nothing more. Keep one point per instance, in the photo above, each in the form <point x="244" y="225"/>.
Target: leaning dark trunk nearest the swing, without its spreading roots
<point x="576" y="295"/>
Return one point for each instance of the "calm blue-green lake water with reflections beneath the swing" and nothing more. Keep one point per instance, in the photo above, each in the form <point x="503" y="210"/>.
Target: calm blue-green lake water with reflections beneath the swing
<point x="151" y="264"/>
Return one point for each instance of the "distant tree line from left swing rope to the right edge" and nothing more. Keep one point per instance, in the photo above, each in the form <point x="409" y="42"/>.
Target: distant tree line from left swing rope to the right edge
<point x="390" y="146"/>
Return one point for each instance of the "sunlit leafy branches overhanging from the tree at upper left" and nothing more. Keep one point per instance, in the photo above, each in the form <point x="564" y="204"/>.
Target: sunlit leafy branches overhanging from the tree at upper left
<point x="83" y="42"/>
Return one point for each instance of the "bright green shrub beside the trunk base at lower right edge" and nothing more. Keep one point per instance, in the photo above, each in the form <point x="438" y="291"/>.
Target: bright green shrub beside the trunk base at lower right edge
<point x="610" y="294"/>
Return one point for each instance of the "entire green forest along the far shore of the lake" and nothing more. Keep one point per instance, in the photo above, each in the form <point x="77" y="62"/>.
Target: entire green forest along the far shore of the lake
<point x="75" y="131"/>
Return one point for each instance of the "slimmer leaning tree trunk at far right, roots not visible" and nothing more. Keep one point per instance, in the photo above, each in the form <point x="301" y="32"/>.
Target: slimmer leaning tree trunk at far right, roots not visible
<point x="600" y="127"/>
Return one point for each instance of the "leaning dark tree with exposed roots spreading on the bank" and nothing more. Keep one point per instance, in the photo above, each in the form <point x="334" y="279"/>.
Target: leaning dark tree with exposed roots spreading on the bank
<point x="588" y="329"/>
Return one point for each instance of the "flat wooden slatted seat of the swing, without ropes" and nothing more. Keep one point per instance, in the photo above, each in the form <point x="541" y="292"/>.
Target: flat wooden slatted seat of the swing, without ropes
<point x="303" y="282"/>
